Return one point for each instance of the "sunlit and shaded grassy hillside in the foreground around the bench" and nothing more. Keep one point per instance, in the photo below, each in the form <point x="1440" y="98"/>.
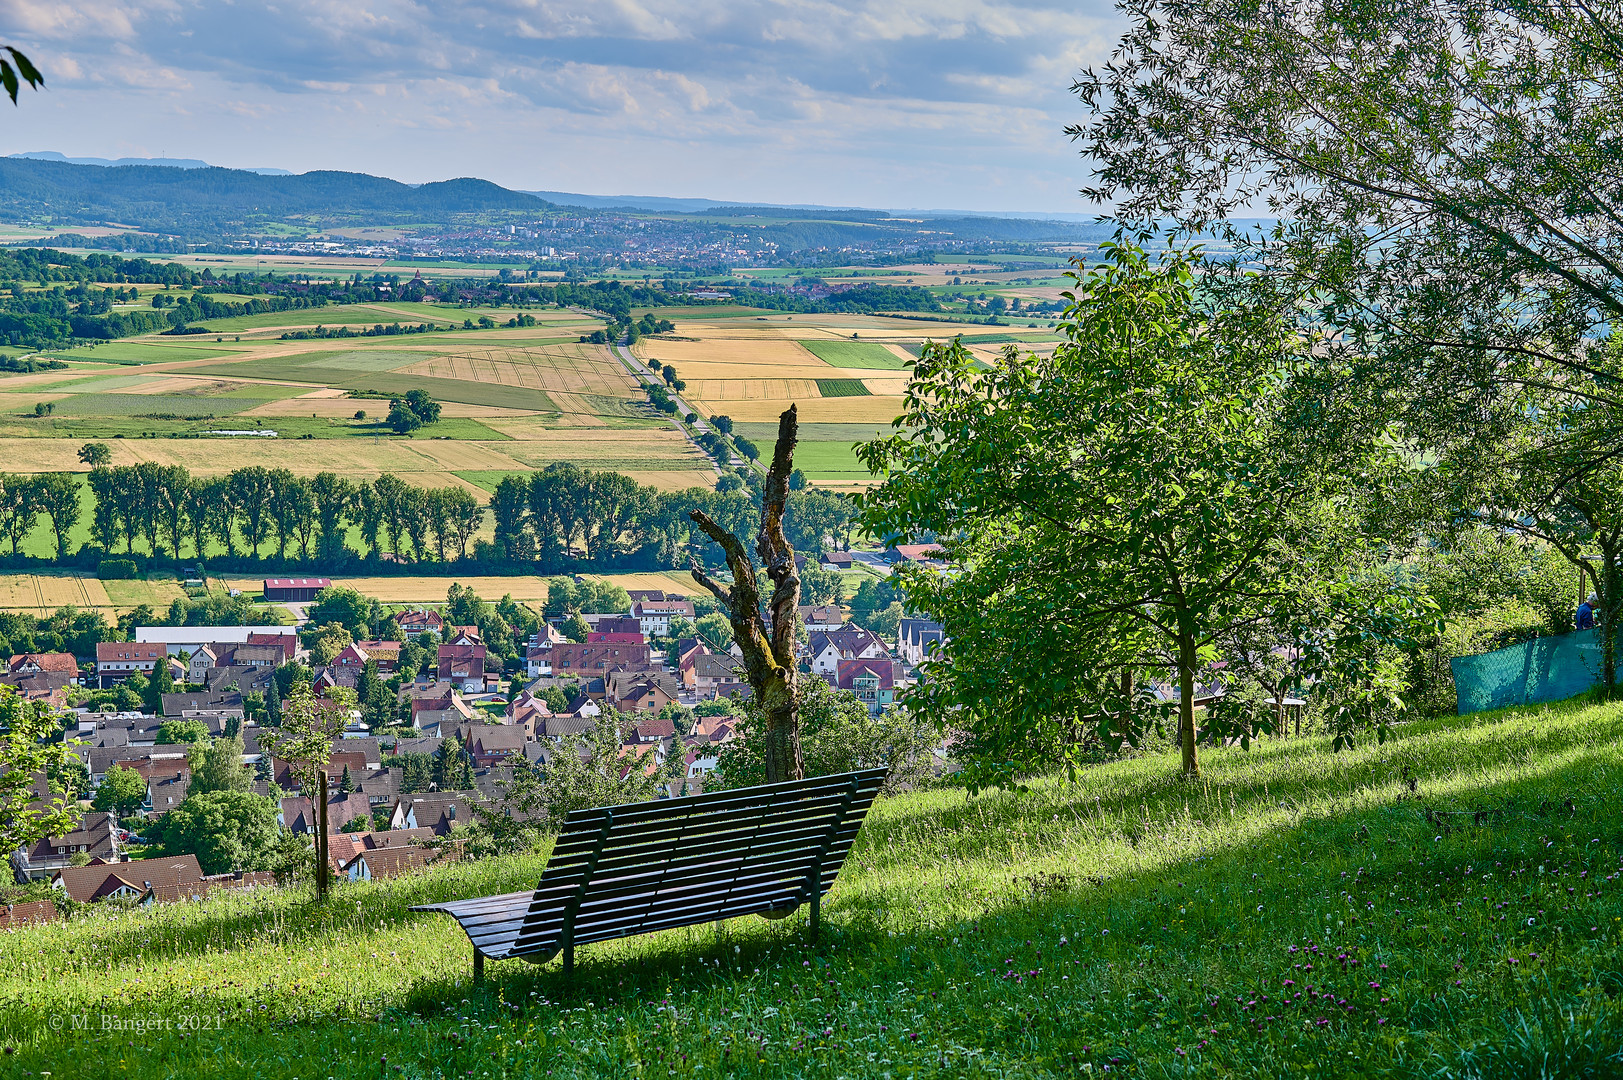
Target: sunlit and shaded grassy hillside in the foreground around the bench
<point x="1403" y="910"/>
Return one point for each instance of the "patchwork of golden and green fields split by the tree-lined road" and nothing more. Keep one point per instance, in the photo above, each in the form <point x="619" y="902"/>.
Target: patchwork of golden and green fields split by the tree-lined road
<point x="514" y="399"/>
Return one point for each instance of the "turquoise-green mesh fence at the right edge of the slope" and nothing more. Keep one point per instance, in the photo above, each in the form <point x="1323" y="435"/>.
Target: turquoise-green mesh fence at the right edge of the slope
<point x="1544" y="670"/>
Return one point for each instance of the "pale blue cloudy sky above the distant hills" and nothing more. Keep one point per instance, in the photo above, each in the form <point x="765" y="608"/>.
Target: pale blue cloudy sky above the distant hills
<point x="867" y="103"/>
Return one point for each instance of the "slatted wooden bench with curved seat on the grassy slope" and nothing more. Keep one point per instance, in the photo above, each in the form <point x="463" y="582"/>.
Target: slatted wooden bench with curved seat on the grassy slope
<point x="653" y="866"/>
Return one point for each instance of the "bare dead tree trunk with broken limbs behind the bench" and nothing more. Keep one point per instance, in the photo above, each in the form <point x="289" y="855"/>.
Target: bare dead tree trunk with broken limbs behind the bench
<point x="768" y="644"/>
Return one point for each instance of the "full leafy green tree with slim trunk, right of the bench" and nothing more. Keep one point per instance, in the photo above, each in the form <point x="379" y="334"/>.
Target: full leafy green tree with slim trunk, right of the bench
<point x="1116" y="508"/>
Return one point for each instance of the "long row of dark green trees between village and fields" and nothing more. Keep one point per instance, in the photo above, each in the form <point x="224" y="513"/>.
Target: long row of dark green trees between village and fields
<point x="554" y="521"/>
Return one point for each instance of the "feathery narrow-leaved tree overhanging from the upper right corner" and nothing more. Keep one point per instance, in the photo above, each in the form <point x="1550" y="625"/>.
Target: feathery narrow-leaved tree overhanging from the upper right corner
<point x="1449" y="183"/>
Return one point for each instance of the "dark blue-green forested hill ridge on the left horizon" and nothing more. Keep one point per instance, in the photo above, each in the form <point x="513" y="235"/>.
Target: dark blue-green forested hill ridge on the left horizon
<point x="215" y="202"/>
